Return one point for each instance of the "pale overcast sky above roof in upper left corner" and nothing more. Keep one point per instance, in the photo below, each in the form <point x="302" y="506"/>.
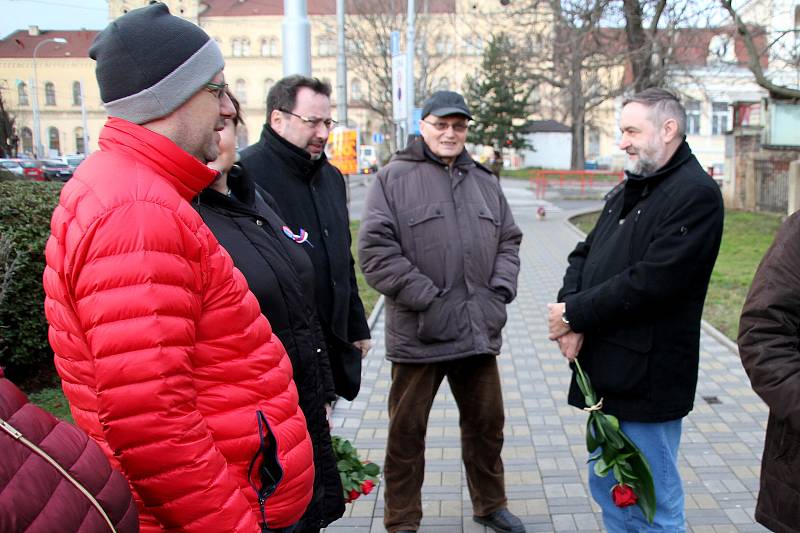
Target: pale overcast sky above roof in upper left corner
<point x="52" y="15"/>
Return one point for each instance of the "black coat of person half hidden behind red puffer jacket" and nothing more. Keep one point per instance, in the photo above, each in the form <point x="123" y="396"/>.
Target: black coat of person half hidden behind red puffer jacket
<point x="280" y="275"/>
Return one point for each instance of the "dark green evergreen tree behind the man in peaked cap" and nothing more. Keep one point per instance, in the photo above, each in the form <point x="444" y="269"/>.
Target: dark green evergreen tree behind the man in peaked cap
<point x="498" y="96"/>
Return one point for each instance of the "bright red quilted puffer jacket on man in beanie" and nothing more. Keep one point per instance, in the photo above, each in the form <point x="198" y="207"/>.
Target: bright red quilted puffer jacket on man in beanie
<point x="164" y="355"/>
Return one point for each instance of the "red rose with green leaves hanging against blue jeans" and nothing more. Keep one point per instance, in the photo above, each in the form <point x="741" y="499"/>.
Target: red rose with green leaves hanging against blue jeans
<point x="618" y="454"/>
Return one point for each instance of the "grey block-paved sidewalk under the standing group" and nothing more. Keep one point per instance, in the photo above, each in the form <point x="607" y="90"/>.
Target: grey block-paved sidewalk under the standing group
<point x="544" y="451"/>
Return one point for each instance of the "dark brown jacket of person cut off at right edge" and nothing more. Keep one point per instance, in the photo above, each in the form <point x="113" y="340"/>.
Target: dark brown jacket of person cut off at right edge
<point x="768" y="345"/>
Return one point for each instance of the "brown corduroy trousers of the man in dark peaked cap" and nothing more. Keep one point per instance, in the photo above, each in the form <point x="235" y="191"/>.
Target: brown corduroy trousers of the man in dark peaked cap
<point x="475" y="383"/>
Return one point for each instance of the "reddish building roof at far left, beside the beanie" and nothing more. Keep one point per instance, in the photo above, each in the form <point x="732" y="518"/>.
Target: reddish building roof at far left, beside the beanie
<point x="21" y="43"/>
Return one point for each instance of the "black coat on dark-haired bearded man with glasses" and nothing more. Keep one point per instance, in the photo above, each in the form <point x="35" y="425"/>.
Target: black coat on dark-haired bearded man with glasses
<point x="311" y="195"/>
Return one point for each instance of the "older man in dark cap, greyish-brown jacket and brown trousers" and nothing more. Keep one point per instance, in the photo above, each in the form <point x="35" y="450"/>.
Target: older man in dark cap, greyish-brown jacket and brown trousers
<point x="438" y="240"/>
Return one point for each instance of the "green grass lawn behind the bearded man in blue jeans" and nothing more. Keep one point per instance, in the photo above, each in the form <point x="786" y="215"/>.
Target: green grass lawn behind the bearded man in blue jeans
<point x="745" y="239"/>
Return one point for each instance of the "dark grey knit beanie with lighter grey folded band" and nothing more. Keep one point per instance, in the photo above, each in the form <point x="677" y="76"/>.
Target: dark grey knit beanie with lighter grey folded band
<point x="149" y="63"/>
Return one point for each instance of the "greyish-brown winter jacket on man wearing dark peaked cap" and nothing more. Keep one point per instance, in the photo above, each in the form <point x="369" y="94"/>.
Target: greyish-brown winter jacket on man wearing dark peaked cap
<point x="441" y="244"/>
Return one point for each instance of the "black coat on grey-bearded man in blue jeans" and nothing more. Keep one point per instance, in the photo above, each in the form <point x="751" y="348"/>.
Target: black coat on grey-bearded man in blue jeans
<point x="636" y="286"/>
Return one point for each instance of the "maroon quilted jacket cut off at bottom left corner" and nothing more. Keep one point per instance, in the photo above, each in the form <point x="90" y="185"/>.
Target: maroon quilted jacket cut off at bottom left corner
<point x="34" y="496"/>
